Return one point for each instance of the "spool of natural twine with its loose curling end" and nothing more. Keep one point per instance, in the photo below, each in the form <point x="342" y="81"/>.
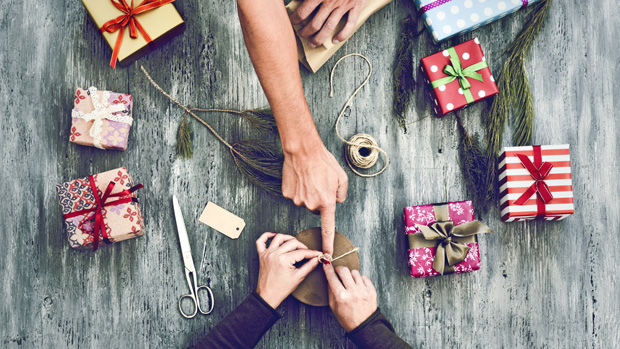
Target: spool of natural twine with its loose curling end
<point x="362" y="150"/>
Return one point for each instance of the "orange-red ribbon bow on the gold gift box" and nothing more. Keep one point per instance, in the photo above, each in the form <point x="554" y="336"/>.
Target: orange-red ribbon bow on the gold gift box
<point x="128" y="17"/>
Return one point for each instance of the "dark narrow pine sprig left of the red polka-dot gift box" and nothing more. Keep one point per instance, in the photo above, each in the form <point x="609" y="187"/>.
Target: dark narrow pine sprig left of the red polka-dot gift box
<point x="404" y="82"/>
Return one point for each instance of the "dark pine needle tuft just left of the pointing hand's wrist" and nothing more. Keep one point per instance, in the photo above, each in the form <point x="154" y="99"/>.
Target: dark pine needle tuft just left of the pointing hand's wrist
<point x="261" y="163"/>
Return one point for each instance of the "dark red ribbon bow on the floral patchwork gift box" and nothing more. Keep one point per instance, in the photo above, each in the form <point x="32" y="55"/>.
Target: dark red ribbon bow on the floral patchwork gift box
<point x="97" y="211"/>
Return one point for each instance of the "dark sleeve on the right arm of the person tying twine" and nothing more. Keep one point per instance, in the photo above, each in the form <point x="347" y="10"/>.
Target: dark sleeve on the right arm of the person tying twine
<point x="376" y="332"/>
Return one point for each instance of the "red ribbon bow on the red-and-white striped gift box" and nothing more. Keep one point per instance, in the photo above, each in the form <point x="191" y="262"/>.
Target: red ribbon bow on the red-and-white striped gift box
<point x="539" y="170"/>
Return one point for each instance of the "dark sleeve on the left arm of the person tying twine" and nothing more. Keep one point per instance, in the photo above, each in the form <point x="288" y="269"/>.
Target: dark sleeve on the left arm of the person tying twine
<point x="243" y="327"/>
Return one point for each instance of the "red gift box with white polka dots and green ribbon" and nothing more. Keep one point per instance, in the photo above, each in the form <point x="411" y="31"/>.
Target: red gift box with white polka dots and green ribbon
<point x="458" y="77"/>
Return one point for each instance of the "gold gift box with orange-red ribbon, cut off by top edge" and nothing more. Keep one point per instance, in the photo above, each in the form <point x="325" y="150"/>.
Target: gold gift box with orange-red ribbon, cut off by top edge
<point x="133" y="31"/>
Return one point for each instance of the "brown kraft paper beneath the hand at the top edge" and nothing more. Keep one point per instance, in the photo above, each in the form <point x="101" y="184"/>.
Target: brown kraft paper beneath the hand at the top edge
<point x="314" y="58"/>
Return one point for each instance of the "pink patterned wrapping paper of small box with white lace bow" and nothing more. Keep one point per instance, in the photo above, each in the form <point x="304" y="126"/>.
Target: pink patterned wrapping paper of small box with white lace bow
<point x="114" y="134"/>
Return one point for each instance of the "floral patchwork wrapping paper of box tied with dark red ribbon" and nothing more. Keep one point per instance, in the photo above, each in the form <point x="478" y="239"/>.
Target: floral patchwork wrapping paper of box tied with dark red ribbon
<point x="122" y="222"/>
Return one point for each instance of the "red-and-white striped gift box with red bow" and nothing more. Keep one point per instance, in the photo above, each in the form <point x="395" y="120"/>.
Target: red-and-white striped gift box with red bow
<point x="535" y="182"/>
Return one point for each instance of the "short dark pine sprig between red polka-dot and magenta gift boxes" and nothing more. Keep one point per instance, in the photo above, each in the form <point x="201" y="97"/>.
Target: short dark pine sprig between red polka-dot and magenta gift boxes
<point x="474" y="167"/>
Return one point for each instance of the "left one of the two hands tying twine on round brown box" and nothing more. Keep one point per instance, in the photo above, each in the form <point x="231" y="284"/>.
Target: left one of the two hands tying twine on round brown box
<point x="278" y="277"/>
